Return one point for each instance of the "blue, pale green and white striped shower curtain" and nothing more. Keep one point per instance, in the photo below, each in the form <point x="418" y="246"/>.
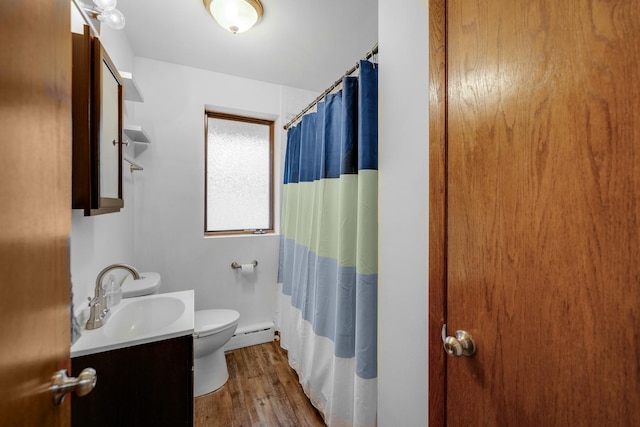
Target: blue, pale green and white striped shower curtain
<point x="328" y="275"/>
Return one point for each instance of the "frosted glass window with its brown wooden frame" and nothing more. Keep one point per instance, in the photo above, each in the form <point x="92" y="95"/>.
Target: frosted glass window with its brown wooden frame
<point x="239" y="164"/>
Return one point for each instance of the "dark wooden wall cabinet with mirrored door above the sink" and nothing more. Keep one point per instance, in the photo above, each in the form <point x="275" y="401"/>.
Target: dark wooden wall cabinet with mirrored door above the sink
<point x="97" y="128"/>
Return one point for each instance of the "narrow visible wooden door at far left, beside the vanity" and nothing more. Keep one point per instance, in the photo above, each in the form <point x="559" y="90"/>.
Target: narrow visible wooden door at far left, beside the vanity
<point x="35" y="215"/>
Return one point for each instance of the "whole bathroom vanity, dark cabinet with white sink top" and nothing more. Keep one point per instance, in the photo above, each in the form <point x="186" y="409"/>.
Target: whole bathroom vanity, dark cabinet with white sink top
<point x="143" y="356"/>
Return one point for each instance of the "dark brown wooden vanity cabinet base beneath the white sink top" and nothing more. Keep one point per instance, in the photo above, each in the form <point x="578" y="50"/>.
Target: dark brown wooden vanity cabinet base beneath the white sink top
<point x="144" y="385"/>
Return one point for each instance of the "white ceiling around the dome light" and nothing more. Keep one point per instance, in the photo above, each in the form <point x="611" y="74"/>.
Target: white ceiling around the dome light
<point x="306" y="44"/>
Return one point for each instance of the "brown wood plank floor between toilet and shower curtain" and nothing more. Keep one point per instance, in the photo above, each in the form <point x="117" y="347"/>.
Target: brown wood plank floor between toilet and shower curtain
<point x="262" y="391"/>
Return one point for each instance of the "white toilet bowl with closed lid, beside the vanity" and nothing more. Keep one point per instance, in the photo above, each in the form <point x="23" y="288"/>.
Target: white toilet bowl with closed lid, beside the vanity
<point x="212" y="330"/>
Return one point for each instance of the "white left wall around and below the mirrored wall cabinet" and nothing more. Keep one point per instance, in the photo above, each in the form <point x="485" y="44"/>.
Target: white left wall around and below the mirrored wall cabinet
<point x="104" y="239"/>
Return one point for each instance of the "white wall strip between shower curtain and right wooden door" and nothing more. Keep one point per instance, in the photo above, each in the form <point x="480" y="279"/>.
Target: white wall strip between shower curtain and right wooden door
<point x="404" y="215"/>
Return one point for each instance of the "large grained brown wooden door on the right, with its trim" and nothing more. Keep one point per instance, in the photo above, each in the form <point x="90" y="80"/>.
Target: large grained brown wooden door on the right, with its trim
<point x="541" y="211"/>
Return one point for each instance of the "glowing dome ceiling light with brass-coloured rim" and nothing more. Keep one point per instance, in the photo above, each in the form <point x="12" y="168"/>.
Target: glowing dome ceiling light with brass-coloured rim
<point x="236" y="16"/>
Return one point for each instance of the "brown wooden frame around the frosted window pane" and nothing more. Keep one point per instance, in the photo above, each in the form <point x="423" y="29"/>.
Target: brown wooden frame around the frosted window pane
<point x="245" y="119"/>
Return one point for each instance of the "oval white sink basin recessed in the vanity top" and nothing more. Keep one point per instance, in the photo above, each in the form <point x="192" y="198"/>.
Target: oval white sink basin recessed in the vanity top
<point x="143" y="317"/>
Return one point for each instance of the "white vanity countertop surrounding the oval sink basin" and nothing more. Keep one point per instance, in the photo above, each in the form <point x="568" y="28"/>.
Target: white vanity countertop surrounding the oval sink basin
<point x="96" y="340"/>
